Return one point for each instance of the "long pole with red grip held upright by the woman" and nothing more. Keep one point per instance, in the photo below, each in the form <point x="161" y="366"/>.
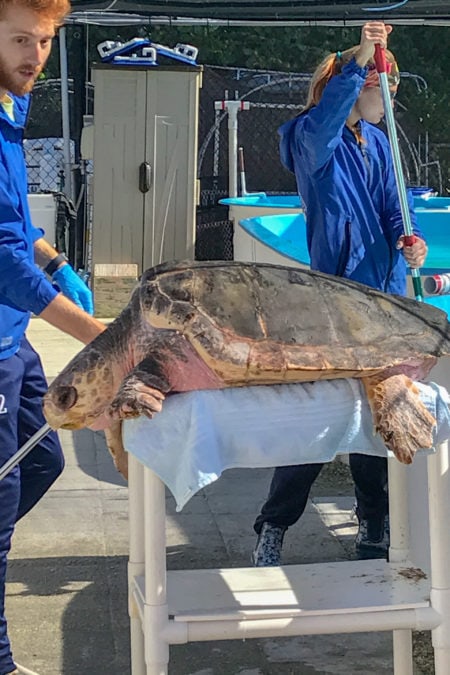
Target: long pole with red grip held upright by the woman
<point x="380" y="61"/>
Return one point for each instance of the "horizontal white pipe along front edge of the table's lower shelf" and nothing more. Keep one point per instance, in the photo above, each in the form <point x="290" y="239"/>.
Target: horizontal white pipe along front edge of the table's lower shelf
<point x="424" y="618"/>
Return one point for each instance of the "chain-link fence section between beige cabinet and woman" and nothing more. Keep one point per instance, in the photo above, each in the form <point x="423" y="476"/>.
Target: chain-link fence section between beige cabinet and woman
<point x="273" y="97"/>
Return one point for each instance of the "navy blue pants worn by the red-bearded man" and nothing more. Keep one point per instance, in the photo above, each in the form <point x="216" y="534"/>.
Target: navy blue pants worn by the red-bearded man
<point x="22" y="386"/>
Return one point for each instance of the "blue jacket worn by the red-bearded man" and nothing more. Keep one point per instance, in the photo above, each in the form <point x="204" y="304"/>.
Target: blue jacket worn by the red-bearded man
<point x="23" y="287"/>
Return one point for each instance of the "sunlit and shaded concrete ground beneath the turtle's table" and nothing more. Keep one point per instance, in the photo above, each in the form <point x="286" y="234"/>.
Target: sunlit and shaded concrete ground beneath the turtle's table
<point x="67" y="583"/>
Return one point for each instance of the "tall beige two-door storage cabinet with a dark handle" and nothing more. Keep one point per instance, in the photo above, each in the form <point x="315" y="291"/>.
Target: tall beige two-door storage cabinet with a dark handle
<point x="145" y="164"/>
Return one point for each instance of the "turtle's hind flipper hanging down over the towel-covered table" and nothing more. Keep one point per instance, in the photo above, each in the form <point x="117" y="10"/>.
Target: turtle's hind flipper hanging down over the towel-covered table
<point x="400" y="417"/>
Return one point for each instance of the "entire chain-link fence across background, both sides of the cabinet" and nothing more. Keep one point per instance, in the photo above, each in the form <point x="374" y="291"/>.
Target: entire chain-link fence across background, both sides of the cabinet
<point x="272" y="97"/>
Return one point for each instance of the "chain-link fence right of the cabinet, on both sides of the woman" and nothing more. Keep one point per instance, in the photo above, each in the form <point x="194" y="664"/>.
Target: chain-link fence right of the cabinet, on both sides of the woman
<point x="273" y="98"/>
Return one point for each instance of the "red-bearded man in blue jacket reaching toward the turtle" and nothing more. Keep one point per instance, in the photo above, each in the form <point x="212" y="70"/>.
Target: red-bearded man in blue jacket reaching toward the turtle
<point x="27" y="28"/>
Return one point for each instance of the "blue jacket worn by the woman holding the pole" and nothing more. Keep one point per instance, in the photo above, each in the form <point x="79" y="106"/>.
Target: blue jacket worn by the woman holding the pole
<point x="349" y="191"/>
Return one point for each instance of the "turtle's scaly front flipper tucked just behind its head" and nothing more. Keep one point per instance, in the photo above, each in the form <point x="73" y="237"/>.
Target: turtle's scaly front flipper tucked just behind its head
<point x="142" y="392"/>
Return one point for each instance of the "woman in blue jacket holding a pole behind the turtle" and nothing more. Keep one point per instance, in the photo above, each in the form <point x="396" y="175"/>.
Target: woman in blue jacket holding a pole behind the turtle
<point x="345" y="177"/>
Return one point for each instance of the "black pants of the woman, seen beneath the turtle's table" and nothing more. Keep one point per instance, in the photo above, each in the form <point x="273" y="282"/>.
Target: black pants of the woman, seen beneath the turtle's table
<point x="291" y="485"/>
